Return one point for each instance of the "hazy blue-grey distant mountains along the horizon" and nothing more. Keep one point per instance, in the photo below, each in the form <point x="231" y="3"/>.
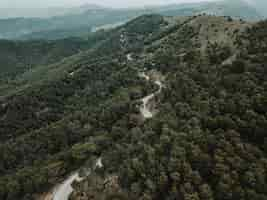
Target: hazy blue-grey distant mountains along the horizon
<point x="80" y="21"/>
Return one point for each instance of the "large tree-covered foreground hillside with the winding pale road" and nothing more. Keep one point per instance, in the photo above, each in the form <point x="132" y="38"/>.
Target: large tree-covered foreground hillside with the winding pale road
<point x="205" y="140"/>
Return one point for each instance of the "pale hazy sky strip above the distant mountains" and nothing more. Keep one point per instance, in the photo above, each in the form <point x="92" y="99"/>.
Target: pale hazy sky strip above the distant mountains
<point x="67" y="3"/>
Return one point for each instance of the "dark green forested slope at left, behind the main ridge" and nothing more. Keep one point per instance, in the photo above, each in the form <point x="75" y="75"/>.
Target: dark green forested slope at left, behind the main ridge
<point x="18" y="57"/>
